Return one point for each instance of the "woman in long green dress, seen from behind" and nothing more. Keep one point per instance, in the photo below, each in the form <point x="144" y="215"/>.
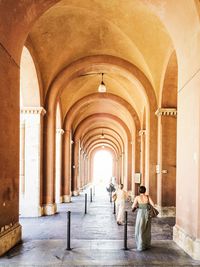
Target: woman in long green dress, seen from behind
<point x="143" y="222"/>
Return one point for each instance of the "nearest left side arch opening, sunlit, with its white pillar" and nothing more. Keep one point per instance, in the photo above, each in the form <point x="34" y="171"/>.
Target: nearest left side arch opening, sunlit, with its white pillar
<point x="31" y="119"/>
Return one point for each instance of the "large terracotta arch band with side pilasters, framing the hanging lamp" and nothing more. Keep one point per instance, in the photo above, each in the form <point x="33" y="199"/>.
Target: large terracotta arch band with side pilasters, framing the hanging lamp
<point x="68" y="74"/>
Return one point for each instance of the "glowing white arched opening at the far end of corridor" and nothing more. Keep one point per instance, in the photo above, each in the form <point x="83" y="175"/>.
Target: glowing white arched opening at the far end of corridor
<point x="103" y="168"/>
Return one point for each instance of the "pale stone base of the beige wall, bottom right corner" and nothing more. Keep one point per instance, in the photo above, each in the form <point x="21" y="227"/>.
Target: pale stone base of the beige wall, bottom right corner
<point x="189" y="244"/>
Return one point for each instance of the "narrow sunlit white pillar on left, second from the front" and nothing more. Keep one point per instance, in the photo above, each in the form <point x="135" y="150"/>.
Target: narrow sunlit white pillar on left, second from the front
<point x="58" y="164"/>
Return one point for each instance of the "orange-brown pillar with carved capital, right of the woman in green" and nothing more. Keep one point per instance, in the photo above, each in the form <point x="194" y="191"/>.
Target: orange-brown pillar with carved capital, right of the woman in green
<point x="166" y="166"/>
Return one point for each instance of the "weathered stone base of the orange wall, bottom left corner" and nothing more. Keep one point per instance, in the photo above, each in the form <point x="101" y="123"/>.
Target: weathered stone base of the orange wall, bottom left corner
<point x="9" y="237"/>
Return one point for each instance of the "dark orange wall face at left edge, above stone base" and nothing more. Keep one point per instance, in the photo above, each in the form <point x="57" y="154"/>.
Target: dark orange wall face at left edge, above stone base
<point x="9" y="139"/>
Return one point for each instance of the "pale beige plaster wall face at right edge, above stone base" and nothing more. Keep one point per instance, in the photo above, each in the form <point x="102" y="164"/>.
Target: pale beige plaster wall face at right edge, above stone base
<point x="188" y="156"/>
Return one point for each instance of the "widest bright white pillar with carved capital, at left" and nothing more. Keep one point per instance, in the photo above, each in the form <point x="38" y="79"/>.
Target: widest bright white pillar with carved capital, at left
<point x="30" y="196"/>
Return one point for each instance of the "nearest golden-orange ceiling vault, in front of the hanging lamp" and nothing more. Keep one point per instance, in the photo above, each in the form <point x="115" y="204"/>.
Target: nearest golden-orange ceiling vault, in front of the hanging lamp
<point x="65" y="33"/>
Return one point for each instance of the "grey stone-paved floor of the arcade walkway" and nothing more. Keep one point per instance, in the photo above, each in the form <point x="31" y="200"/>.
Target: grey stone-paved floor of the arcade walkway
<point x="96" y="240"/>
